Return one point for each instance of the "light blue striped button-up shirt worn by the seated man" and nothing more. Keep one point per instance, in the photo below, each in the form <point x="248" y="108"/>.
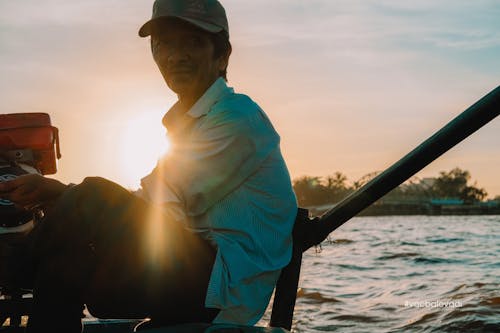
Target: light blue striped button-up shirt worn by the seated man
<point x="225" y="178"/>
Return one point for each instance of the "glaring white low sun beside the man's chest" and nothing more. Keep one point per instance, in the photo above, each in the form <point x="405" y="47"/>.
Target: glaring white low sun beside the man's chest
<point x="143" y="141"/>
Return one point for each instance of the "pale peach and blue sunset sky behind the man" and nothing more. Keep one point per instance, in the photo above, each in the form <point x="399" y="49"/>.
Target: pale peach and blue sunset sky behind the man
<point x="351" y="86"/>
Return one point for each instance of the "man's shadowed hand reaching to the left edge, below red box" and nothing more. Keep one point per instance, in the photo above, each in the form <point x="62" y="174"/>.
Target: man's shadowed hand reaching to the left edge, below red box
<point x="30" y="191"/>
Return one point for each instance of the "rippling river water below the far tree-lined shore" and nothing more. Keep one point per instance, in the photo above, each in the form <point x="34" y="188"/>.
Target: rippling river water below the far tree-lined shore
<point x="403" y="274"/>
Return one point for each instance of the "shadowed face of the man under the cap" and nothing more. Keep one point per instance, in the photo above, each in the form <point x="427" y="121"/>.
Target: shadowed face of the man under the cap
<point x="185" y="56"/>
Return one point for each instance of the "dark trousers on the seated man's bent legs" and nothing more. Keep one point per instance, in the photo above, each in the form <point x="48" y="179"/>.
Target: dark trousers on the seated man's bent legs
<point x="102" y="246"/>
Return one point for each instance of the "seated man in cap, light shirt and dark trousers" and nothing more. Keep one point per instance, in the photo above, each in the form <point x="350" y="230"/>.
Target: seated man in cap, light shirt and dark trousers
<point x="205" y="237"/>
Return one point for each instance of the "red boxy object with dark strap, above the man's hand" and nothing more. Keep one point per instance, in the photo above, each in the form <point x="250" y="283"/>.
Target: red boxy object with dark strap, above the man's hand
<point x="30" y="138"/>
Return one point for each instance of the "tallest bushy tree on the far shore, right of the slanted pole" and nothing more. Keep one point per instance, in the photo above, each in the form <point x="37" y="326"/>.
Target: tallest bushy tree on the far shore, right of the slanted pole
<point x="454" y="184"/>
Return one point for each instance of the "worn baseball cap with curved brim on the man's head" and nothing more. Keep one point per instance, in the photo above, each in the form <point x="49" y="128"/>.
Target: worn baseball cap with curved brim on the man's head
<point x="208" y="15"/>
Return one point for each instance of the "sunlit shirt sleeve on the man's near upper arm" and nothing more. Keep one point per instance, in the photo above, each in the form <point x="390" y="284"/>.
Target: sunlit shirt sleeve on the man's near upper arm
<point x="223" y="151"/>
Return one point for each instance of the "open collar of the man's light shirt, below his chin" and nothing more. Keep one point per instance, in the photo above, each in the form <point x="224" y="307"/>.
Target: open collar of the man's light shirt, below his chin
<point x="212" y="95"/>
